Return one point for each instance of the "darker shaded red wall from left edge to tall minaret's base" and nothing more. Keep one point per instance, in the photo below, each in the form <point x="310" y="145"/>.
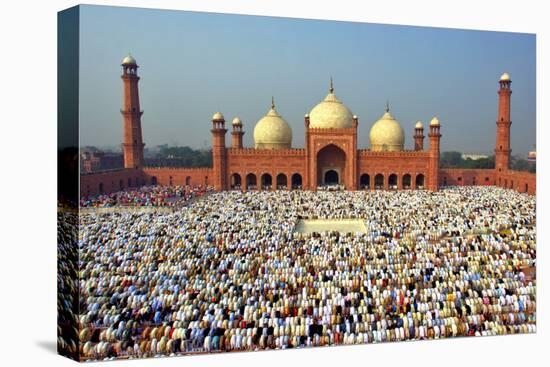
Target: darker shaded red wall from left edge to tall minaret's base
<point x="110" y="181"/>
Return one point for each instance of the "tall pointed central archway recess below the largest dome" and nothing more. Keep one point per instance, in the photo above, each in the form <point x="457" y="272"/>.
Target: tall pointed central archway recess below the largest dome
<point x="331" y="166"/>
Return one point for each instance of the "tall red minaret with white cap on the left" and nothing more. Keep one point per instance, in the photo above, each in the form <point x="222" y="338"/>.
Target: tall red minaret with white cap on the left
<point x="132" y="143"/>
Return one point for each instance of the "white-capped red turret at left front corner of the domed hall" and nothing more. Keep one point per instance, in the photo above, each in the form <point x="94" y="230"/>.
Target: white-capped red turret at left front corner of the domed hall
<point x="219" y="163"/>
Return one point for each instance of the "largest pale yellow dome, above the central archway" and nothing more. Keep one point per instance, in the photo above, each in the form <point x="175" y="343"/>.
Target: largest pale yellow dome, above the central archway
<point x="330" y="113"/>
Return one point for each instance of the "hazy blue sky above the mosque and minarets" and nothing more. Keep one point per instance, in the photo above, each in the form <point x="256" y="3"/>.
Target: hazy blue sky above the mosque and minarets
<point x="194" y="64"/>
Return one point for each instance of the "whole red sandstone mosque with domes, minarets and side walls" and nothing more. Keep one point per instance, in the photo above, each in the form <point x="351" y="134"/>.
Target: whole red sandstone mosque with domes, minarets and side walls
<point x="330" y="157"/>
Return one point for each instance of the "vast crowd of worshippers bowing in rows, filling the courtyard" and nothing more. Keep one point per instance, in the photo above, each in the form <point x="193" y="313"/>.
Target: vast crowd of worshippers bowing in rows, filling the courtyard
<point x="229" y="272"/>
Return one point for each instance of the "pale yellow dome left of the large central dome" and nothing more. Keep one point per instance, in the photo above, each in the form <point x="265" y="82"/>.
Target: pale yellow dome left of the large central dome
<point x="272" y="132"/>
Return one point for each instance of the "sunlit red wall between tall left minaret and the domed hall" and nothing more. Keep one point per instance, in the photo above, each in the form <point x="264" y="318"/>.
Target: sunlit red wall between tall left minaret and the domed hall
<point x="179" y="176"/>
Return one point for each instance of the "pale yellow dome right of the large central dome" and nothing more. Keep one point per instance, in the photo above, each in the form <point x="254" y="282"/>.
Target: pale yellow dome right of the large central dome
<point x="386" y="134"/>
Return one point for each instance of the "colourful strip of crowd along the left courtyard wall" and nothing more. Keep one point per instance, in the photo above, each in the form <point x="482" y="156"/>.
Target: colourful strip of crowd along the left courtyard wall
<point x="148" y="196"/>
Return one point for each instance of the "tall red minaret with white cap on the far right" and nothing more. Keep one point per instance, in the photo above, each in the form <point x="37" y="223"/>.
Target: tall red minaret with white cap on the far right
<point x="502" y="149"/>
